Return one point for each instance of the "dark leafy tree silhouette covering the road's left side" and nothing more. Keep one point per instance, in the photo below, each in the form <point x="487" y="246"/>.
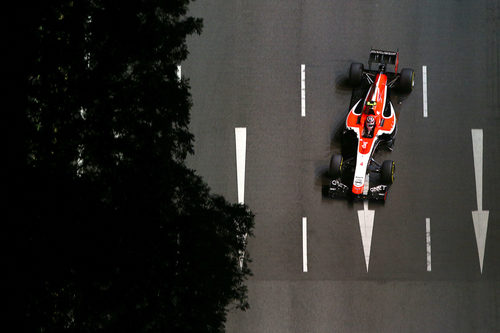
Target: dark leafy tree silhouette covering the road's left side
<point x="108" y="229"/>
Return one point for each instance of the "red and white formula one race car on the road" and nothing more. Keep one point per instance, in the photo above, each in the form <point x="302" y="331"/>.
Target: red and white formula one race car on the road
<point x="370" y="123"/>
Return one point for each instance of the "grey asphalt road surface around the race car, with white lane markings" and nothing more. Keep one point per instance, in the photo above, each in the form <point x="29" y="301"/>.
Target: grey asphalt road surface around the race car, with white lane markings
<point x="245" y="71"/>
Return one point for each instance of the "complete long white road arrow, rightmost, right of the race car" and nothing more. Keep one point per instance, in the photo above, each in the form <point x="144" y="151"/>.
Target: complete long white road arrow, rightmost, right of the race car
<point x="480" y="216"/>
